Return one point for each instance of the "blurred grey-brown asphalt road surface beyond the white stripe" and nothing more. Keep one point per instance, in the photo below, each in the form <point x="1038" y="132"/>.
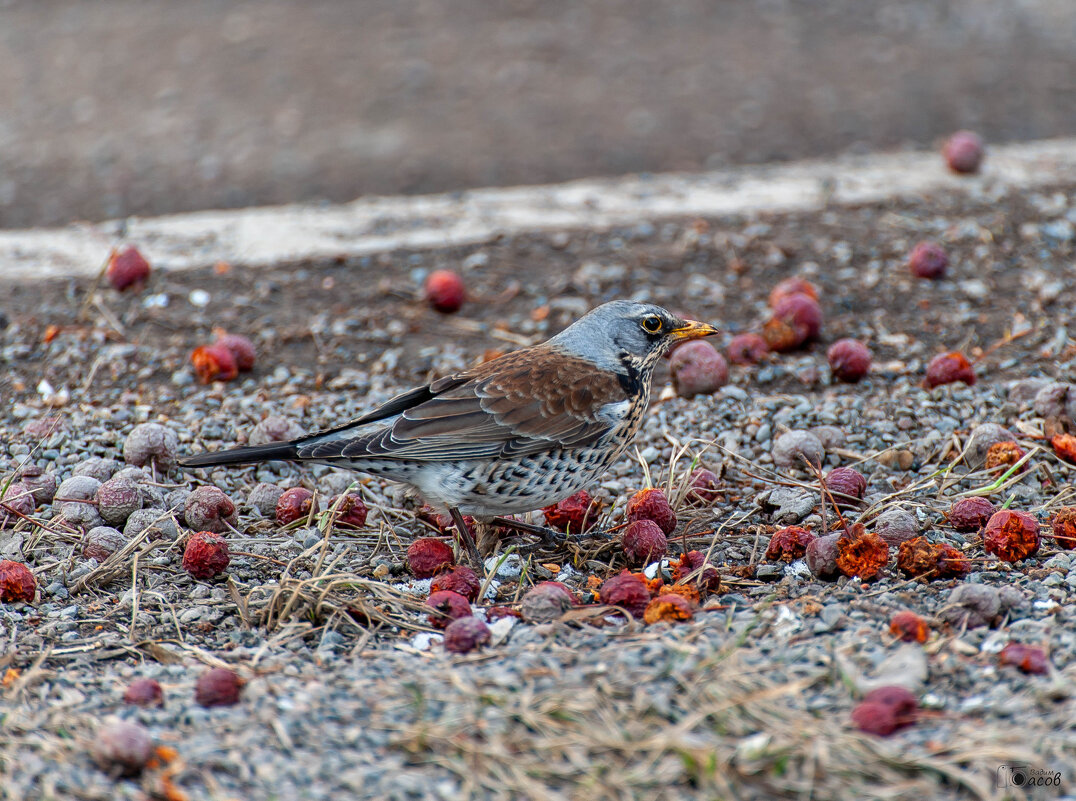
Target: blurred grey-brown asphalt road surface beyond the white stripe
<point x="115" y="108"/>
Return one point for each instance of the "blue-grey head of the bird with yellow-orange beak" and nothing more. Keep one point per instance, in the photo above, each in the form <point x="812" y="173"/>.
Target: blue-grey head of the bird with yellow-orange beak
<point x="628" y="335"/>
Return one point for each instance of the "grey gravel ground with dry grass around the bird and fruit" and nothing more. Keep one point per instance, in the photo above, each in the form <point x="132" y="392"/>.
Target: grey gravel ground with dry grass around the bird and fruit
<point x="350" y="694"/>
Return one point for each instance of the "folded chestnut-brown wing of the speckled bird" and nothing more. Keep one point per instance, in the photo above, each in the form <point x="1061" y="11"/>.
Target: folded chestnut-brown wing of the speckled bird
<point x="522" y="403"/>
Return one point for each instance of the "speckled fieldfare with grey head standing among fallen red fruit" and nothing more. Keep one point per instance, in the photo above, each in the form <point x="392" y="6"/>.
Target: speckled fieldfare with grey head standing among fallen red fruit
<point x="515" y="434"/>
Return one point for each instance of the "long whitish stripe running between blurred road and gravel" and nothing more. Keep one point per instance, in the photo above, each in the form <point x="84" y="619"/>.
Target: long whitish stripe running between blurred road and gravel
<point x="266" y="236"/>
